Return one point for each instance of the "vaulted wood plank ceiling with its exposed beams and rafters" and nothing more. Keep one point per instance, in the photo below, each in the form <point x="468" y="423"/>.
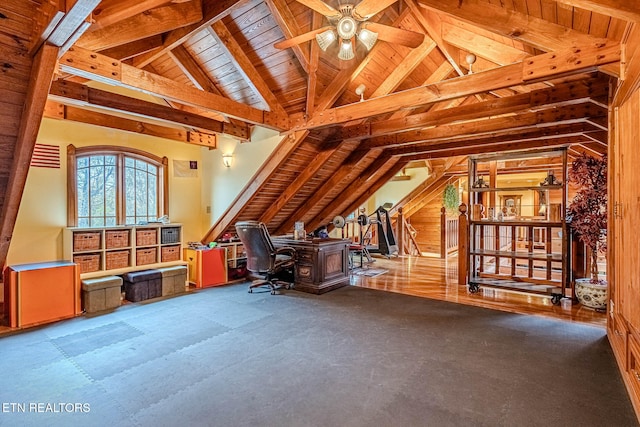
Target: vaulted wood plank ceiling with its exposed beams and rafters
<point x="541" y="77"/>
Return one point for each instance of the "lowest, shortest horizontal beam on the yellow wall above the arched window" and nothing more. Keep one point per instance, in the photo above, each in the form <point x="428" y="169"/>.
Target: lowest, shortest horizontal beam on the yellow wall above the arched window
<point x="59" y="111"/>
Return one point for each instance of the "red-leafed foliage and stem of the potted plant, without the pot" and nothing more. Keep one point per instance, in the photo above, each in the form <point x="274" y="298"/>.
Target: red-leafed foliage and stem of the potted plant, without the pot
<point x="587" y="212"/>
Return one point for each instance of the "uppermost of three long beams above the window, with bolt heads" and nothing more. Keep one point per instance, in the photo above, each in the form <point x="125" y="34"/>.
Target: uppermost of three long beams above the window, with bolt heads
<point x="99" y="67"/>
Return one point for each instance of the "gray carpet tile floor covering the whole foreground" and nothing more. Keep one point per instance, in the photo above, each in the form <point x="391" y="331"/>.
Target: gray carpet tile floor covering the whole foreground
<point x="351" y="357"/>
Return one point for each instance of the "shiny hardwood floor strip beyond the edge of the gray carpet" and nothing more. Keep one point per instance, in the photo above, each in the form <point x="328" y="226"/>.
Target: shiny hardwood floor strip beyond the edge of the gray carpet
<point x="438" y="279"/>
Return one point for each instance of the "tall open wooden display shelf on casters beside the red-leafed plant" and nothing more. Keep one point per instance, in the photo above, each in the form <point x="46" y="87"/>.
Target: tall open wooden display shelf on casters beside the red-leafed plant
<point x="517" y="235"/>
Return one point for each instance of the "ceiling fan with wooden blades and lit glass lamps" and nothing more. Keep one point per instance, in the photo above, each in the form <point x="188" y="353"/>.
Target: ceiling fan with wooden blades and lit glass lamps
<point x="348" y="21"/>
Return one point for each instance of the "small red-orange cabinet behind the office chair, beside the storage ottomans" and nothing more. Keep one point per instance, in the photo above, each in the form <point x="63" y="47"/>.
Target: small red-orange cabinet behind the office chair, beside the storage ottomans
<point x="207" y="267"/>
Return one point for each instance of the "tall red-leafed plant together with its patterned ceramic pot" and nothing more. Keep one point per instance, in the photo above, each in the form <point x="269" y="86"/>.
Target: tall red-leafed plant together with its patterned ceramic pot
<point x="587" y="216"/>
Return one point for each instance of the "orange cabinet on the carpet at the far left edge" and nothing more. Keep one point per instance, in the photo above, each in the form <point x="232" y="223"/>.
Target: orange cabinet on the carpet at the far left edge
<point x="41" y="292"/>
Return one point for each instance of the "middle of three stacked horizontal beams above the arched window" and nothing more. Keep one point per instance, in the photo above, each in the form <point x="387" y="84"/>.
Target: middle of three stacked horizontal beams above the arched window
<point x="70" y="93"/>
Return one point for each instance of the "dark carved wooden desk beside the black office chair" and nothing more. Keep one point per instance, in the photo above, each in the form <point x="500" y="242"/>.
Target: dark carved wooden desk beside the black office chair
<point x="322" y="264"/>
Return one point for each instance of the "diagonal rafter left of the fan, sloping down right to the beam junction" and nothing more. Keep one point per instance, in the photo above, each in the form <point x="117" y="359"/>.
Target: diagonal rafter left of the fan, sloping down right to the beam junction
<point x="244" y="66"/>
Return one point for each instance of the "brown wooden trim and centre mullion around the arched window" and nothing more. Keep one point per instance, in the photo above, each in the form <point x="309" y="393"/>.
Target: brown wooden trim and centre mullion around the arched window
<point x="120" y="152"/>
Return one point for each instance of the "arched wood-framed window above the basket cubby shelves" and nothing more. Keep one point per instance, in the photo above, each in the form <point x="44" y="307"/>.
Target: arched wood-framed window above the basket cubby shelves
<point x="111" y="186"/>
